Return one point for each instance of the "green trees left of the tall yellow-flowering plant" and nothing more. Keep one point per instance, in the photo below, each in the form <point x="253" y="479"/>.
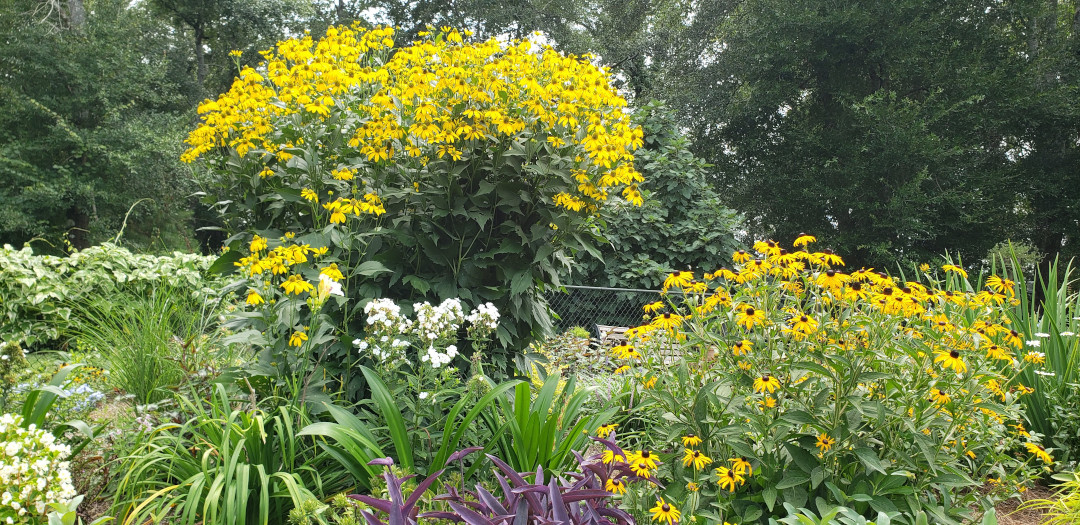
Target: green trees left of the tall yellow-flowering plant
<point x="90" y="126"/>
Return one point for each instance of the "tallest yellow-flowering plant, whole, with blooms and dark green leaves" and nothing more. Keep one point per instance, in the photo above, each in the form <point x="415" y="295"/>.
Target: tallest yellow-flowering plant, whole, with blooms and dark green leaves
<point x="441" y="169"/>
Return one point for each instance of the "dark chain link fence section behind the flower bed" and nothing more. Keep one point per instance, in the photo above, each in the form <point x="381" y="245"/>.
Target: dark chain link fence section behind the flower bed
<point x="590" y="307"/>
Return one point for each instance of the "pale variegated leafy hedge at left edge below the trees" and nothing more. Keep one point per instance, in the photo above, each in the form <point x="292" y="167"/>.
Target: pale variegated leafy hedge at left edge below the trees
<point x="39" y="292"/>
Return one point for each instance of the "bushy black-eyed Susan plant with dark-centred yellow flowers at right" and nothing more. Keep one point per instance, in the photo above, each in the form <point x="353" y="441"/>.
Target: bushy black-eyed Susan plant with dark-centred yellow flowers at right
<point x="787" y="381"/>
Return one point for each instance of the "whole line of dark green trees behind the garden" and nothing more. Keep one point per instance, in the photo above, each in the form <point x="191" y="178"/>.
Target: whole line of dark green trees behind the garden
<point x="894" y="131"/>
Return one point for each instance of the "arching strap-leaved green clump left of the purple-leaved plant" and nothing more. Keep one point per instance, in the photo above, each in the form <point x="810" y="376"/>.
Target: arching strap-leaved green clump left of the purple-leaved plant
<point x="225" y="466"/>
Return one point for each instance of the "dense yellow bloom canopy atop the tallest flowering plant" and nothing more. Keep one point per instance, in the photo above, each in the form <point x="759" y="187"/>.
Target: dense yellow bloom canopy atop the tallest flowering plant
<point x="439" y="98"/>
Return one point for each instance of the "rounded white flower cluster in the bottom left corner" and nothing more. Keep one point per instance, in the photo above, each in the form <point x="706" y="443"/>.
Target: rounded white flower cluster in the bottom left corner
<point x="33" y="475"/>
